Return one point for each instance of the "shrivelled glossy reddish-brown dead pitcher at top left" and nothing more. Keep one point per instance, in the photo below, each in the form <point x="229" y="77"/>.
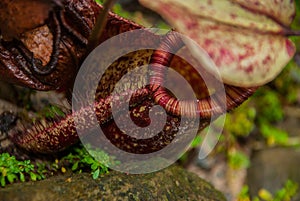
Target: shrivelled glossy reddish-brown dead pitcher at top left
<point x="72" y="50"/>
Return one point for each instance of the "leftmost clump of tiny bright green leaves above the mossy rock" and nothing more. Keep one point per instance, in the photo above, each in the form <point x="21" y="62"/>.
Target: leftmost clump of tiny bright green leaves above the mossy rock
<point x="13" y="170"/>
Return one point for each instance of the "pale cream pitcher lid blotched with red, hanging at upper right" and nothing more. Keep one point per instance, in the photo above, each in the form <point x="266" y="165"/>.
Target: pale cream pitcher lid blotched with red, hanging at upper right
<point x="246" y="43"/>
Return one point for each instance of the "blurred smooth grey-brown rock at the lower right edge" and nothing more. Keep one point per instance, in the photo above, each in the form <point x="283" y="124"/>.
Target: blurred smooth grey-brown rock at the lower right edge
<point x="271" y="168"/>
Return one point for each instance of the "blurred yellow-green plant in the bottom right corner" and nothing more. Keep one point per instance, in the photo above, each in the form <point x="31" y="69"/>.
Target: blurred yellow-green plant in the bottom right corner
<point x="286" y="193"/>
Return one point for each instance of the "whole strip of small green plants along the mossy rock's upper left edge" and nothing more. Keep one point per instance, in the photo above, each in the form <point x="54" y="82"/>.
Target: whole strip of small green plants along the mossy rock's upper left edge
<point x="78" y="160"/>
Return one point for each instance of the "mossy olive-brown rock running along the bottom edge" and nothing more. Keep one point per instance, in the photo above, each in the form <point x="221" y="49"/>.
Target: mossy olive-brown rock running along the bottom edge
<point x="173" y="183"/>
